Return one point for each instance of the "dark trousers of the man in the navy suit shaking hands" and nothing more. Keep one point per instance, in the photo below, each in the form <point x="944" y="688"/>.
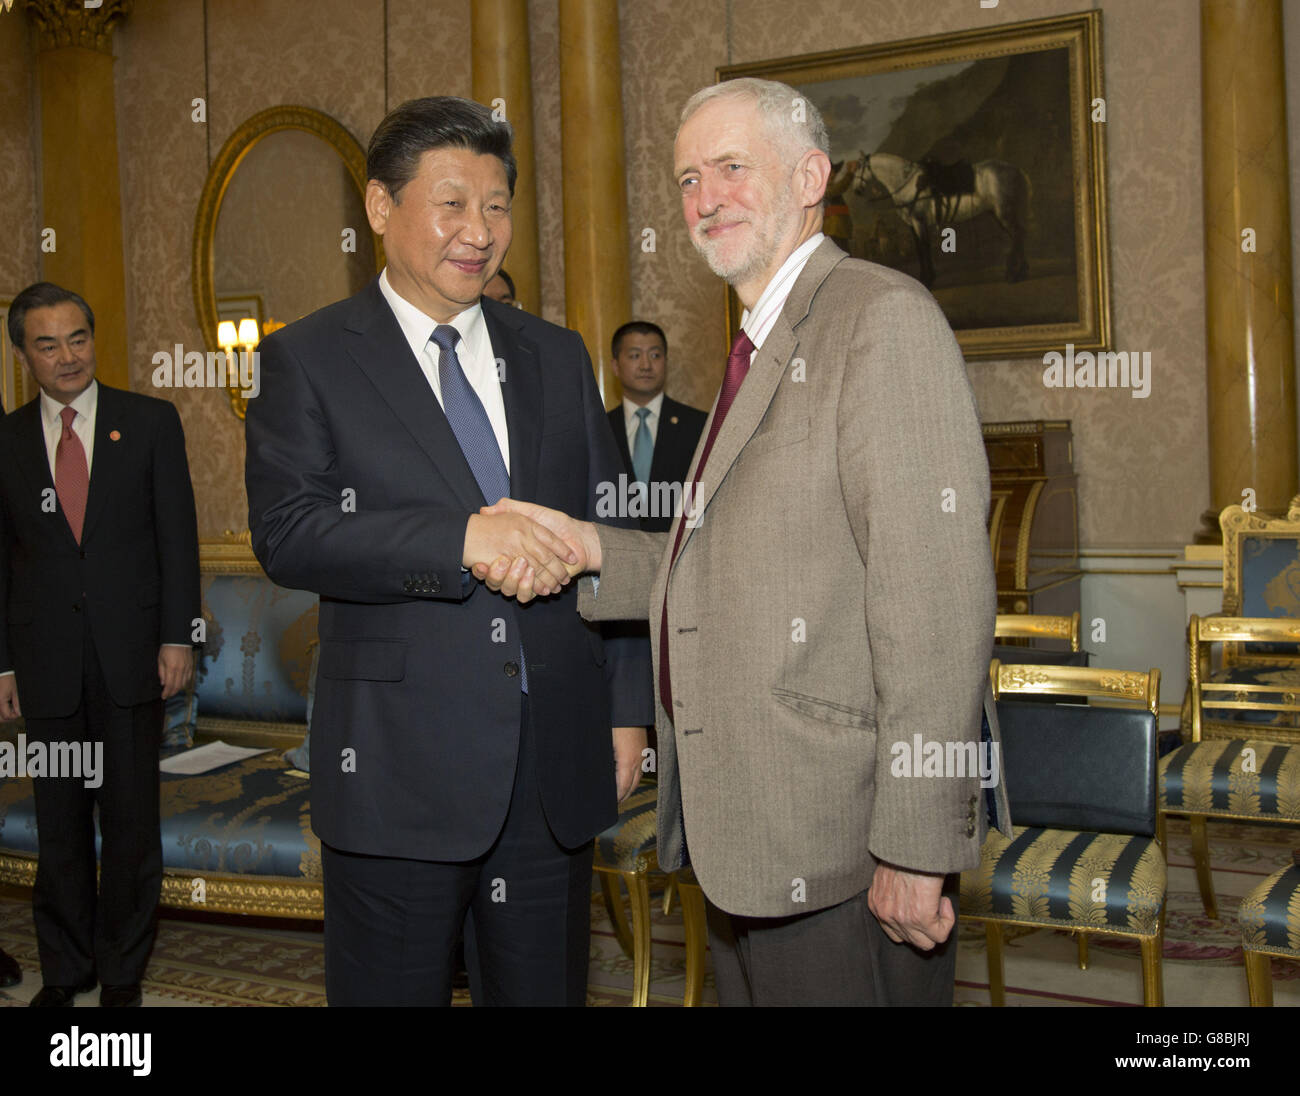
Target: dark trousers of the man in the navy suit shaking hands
<point x="526" y="907"/>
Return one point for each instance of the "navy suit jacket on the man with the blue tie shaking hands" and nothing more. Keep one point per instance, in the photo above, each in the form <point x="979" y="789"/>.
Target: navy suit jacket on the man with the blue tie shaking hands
<point x="359" y="491"/>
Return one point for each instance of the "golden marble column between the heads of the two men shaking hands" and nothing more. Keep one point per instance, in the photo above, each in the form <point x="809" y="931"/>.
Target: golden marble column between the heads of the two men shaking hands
<point x="596" y="201"/>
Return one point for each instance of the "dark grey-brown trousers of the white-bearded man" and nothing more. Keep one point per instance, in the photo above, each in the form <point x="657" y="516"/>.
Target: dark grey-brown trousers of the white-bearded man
<point x="837" y="956"/>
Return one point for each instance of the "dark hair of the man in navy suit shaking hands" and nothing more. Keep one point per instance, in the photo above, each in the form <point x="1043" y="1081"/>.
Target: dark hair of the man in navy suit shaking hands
<point x="437" y="122"/>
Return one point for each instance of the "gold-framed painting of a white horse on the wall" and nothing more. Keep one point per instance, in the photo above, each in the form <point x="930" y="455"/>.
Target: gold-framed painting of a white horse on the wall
<point x="974" y="162"/>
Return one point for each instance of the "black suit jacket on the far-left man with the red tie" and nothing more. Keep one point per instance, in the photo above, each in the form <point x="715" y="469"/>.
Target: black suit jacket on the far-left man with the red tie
<point x="135" y="578"/>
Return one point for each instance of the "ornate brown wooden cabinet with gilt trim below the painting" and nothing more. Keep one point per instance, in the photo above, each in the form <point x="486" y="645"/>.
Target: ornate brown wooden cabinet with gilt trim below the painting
<point x="1034" y="517"/>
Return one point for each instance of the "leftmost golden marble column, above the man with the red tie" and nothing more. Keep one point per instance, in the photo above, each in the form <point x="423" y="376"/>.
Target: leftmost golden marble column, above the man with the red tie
<point x="81" y="194"/>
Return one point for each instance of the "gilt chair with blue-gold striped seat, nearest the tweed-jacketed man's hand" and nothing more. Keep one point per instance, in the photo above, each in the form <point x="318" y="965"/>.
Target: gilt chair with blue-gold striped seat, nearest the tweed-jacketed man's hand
<point x="1084" y="855"/>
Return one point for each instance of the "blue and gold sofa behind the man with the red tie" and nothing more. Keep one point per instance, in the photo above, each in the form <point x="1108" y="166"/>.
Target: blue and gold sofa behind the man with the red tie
<point x="237" y="839"/>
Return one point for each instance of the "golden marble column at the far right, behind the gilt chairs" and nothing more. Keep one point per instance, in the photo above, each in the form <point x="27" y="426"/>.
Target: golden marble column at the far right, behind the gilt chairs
<point x="1250" y="341"/>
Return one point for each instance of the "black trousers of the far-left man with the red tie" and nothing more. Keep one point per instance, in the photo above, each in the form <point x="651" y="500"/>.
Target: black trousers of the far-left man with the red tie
<point x="83" y="934"/>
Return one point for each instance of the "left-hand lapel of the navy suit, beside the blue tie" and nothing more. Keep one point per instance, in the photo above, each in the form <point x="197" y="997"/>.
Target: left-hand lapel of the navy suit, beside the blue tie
<point x="380" y="350"/>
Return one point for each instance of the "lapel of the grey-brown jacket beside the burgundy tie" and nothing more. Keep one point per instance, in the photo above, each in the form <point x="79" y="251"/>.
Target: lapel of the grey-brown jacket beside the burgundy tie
<point x="760" y="387"/>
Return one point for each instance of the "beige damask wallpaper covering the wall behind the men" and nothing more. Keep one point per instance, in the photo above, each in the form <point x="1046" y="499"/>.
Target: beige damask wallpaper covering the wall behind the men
<point x="1142" y="462"/>
